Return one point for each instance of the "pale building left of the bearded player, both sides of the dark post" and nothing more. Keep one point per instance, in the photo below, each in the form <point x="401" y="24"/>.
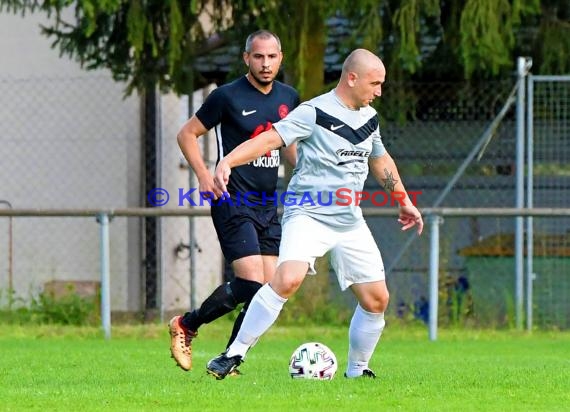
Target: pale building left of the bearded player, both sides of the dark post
<point x="69" y="139"/>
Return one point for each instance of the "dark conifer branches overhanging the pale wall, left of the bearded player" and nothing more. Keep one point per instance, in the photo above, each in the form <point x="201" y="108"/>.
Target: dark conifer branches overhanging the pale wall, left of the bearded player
<point x="145" y="43"/>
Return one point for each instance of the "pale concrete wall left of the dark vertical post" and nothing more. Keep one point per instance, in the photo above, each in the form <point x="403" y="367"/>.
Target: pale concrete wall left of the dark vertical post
<point x="68" y="139"/>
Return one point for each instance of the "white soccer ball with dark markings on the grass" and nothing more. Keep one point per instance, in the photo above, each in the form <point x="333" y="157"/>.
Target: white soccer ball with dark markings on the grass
<point x="313" y="360"/>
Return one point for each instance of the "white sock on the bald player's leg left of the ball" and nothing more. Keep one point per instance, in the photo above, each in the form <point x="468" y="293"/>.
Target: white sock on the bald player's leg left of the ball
<point x="261" y="314"/>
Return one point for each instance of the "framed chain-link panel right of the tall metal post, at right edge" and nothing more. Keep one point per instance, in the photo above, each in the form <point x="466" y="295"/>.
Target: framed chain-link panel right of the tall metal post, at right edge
<point x="548" y="109"/>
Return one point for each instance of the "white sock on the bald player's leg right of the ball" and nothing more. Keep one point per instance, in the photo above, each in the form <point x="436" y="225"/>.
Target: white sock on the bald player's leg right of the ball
<point x="363" y="334"/>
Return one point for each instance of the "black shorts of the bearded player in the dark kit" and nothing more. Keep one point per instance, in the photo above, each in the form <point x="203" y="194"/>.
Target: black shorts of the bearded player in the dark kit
<point x="246" y="230"/>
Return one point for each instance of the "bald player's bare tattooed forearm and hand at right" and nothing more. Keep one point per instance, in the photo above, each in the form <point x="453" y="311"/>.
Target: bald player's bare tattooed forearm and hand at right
<point x="384" y="169"/>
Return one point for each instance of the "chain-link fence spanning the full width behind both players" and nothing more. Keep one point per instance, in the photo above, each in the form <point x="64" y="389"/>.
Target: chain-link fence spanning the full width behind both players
<point x="76" y="143"/>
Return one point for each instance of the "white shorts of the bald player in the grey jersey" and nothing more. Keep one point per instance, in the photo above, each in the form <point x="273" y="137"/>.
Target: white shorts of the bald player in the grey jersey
<point x="354" y="255"/>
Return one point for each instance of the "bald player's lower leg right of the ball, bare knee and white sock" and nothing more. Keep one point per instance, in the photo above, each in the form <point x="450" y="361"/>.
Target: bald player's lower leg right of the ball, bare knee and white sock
<point x="366" y="327"/>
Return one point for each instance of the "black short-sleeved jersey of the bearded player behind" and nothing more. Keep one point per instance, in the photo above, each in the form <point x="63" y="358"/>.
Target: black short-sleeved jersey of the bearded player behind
<point x="239" y="112"/>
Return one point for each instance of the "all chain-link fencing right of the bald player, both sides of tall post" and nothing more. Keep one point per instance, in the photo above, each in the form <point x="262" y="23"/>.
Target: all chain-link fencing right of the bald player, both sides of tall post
<point x="477" y="255"/>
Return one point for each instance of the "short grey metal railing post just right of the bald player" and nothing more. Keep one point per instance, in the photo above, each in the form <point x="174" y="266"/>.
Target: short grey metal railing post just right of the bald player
<point x="433" y="222"/>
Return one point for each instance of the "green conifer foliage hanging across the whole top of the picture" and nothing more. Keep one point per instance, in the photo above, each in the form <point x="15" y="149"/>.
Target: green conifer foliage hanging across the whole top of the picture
<point x="155" y="42"/>
